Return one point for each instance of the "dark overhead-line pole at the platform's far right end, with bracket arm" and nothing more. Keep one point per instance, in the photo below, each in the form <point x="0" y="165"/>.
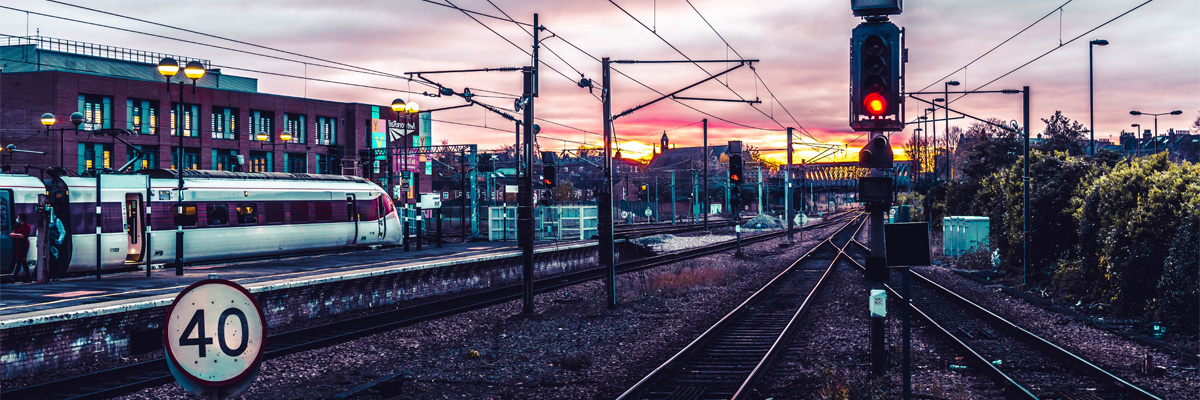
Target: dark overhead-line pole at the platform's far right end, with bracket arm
<point x="608" y="259"/>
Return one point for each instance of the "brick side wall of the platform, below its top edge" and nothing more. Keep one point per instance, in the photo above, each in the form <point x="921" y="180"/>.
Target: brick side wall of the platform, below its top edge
<point x="97" y="335"/>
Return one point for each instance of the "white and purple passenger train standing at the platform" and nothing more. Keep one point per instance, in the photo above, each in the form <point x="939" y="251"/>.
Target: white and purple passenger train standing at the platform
<point x="224" y="216"/>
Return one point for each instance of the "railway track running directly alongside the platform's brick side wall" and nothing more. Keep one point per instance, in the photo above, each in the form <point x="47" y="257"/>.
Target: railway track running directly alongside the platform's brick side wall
<point x="128" y="379"/>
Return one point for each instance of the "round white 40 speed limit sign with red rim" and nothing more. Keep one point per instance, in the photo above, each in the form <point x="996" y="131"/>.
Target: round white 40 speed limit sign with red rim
<point x="214" y="338"/>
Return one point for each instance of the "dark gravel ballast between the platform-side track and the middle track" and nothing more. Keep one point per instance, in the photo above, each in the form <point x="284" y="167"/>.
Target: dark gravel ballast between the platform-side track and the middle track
<point x="574" y="348"/>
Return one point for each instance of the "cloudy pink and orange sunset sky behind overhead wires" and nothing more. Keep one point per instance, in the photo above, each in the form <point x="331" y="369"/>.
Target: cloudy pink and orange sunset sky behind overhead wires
<point x="1153" y="63"/>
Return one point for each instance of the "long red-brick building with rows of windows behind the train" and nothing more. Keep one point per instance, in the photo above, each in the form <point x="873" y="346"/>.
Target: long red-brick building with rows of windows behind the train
<point x="128" y="104"/>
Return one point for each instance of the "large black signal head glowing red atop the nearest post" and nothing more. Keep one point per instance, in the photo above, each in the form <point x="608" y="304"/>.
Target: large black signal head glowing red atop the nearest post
<point x="875" y="94"/>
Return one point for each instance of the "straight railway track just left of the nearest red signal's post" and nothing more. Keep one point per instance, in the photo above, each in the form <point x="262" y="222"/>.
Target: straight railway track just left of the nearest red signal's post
<point x="727" y="360"/>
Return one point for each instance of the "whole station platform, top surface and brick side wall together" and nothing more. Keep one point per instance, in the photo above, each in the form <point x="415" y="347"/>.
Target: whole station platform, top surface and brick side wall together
<point x="80" y="320"/>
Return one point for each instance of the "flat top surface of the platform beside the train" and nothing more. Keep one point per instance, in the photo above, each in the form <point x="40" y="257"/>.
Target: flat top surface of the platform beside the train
<point x="86" y="295"/>
